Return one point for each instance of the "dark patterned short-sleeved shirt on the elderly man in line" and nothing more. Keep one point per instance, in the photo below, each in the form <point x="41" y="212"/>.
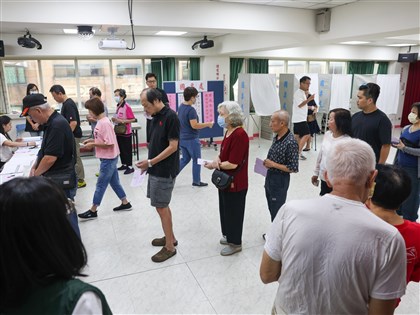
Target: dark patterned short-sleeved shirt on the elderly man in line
<point x="284" y="151"/>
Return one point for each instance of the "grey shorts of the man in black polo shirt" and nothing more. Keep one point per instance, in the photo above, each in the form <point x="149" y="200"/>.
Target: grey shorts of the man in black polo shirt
<point x="159" y="190"/>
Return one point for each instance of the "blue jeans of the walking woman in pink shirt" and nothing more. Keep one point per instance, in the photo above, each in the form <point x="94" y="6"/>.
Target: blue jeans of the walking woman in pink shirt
<point x="108" y="174"/>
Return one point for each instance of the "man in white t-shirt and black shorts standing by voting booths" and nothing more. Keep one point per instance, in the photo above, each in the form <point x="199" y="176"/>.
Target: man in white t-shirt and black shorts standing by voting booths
<point x="300" y="113"/>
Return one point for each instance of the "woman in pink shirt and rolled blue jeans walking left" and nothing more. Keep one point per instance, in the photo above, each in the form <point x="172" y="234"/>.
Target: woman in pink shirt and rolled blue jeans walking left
<point x="106" y="148"/>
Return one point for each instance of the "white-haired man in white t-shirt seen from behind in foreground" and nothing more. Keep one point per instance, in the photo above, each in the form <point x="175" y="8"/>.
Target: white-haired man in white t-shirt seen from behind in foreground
<point x="331" y="255"/>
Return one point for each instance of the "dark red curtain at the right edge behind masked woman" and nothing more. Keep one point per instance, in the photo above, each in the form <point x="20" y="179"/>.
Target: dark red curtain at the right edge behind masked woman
<point x="412" y="92"/>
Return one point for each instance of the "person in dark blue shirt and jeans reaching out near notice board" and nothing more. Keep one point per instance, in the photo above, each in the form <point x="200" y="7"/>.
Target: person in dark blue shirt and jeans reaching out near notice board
<point x="189" y="141"/>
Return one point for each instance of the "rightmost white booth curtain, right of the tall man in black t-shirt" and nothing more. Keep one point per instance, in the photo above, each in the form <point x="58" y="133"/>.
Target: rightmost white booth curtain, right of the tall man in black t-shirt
<point x="390" y="93"/>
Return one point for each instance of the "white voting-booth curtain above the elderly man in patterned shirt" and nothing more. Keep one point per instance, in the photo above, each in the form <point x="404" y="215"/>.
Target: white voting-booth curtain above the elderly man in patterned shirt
<point x="264" y="94"/>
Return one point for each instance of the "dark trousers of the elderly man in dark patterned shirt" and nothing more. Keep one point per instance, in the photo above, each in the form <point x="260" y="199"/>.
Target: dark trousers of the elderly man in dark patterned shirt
<point x="276" y="186"/>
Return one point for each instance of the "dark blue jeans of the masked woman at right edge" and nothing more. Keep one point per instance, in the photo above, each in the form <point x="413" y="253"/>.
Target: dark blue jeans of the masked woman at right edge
<point x="410" y="207"/>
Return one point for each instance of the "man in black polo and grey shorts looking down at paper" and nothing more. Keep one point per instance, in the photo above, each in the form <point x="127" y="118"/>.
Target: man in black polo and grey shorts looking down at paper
<point x="162" y="166"/>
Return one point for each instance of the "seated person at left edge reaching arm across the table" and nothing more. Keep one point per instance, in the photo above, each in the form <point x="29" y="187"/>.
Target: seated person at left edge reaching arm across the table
<point x="6" y="142"/>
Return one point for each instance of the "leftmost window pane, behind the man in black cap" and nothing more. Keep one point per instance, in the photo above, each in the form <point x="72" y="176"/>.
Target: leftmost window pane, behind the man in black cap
<point x="18" y="74"/>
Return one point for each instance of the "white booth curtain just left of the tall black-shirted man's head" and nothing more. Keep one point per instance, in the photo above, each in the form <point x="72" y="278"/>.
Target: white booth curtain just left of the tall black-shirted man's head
<point x="340" y="91"/>
